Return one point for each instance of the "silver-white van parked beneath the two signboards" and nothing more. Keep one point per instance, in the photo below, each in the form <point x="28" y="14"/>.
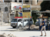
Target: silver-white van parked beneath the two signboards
<point x="20" y="22"/>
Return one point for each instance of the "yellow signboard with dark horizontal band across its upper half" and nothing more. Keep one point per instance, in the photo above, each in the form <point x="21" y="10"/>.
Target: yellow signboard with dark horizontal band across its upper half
<point x="26" y="11"/>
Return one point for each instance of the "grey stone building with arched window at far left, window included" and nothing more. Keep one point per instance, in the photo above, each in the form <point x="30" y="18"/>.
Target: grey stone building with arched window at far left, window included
<point x="4" y="11"/>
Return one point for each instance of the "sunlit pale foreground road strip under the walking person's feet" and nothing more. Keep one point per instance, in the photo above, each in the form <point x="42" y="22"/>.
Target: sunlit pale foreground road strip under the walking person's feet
<point x="27" y="33"/>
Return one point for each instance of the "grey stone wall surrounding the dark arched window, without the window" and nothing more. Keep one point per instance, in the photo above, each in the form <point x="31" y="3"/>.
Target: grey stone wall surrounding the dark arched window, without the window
<point x="5" y="14"/>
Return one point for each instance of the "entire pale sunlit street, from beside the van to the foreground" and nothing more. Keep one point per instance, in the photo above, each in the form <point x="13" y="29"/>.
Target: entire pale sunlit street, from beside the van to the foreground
<point x="17" y="32"/>
